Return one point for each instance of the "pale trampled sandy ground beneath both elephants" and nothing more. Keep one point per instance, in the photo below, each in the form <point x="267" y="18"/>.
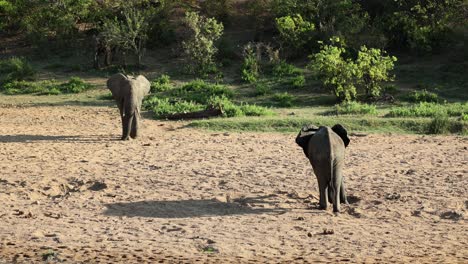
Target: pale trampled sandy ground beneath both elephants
<point x="70" y="191"/>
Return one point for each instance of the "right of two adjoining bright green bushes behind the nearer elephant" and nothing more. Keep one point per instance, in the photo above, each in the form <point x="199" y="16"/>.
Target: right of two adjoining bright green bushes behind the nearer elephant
<point x="374" y="68"/>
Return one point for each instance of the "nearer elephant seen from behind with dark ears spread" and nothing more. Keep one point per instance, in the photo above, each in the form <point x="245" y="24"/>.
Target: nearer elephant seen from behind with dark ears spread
<point x="325" y="149"/>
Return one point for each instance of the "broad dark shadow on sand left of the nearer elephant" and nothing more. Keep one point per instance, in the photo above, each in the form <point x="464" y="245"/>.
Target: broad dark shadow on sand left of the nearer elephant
<point x="184" y="209"/>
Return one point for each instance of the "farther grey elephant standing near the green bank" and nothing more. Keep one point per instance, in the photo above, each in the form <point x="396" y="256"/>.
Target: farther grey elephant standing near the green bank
<point x="128" y="92"/>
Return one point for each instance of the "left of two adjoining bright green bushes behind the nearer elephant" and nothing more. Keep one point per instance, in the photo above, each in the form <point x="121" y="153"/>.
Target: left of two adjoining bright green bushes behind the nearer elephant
<point x="335" y="72"/>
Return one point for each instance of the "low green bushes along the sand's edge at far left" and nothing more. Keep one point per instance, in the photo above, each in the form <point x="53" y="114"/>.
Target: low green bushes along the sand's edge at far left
<point x="48" y="87"/>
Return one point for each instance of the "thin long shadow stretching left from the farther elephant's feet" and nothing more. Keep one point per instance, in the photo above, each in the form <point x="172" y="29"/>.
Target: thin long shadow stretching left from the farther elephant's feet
<point x="39" y="138"/>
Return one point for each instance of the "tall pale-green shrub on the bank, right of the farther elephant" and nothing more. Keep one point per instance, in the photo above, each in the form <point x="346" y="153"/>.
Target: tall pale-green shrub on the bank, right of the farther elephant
<point x="200" y="47"/>
